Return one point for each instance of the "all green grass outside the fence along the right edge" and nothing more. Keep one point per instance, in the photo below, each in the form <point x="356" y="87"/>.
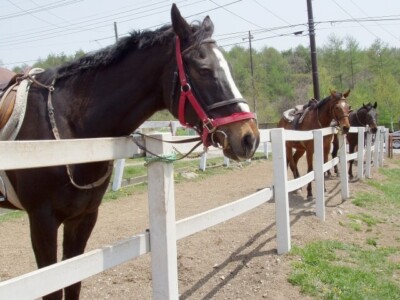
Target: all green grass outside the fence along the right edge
<point x="336" y="270"/>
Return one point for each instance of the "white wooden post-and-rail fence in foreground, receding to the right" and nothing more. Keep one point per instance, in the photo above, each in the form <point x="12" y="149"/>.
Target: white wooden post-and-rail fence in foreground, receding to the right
<point x="164" y="229"/>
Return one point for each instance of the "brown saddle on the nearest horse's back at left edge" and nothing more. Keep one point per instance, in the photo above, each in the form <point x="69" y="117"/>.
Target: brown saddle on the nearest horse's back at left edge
<point x="9" y="82"/>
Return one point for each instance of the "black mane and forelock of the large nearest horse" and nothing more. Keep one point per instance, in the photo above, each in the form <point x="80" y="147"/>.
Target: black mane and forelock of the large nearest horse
<point x="135" y="41"/>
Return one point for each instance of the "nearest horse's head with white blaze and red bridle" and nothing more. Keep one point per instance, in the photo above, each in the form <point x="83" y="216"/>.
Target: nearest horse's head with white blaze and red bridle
<point x="207" y="98"/>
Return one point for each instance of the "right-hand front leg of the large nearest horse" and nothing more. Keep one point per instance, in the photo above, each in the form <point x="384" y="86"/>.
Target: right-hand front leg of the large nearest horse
<point x="76" y="234"/>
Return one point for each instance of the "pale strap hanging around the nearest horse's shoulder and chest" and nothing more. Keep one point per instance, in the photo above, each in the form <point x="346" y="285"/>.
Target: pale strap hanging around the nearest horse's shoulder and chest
<point x="56" y="135"/>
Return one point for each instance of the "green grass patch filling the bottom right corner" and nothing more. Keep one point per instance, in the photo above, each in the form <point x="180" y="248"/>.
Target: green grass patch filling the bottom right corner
<point x="335" y="270"/>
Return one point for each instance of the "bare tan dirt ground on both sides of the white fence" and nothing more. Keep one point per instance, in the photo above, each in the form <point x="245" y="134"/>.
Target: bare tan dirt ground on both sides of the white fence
<point x="233" y="260"/>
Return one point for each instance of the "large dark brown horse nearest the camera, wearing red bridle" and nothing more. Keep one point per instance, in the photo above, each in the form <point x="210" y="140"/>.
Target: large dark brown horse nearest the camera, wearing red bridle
<point x="109" y="93"/>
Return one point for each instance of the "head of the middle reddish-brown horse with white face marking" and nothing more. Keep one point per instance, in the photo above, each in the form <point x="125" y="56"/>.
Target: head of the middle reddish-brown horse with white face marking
<point x="340" y="110"/>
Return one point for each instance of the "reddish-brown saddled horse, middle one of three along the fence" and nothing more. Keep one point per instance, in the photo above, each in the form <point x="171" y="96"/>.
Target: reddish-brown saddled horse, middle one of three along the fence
<point x="319" y="115"/>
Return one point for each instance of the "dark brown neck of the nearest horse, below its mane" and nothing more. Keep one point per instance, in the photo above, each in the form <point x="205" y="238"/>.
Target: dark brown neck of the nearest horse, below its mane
<point x="115" y="100"/>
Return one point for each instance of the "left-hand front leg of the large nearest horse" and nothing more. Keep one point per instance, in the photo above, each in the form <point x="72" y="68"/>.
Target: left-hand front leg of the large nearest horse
<point x="43" y="230"/>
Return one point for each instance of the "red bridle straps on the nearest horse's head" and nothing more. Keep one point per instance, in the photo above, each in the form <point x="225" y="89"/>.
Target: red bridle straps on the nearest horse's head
<point x="209" y="125"/>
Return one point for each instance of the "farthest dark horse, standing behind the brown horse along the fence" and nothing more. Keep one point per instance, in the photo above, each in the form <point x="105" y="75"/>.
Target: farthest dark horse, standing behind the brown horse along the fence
<point x="366" y="115"/>
